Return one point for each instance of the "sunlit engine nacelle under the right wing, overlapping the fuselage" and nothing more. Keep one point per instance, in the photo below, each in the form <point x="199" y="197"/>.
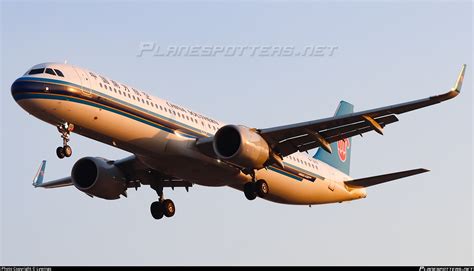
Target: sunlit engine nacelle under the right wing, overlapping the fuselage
<point x="241" y="146"/>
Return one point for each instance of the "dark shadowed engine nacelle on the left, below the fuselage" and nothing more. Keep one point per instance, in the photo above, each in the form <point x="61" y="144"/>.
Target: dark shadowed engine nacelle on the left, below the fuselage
<point x="98" y="177"/>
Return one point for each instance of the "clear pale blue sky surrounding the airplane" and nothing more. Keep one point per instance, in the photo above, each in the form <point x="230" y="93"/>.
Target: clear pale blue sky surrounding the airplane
<point x="386" y="53"/>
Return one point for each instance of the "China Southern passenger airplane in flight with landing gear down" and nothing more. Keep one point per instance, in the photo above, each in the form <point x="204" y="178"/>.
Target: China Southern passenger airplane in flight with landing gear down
<point x="173" y="146"/>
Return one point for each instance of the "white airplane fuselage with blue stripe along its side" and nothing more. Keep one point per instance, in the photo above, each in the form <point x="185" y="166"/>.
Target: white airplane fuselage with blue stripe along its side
<point x="163" y="135"/>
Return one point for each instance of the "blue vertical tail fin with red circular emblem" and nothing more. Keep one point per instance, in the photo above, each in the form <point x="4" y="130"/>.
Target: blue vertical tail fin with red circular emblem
<point x="340" y="158"/>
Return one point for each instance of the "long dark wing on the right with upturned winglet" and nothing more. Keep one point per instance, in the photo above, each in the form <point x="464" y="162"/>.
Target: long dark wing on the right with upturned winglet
<point x="304" y="136"/>
